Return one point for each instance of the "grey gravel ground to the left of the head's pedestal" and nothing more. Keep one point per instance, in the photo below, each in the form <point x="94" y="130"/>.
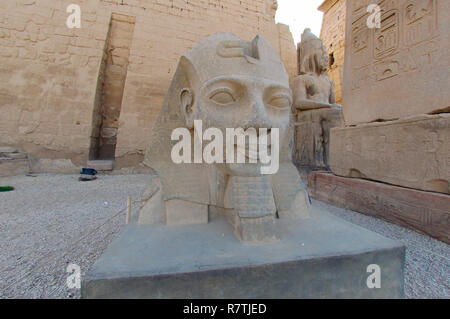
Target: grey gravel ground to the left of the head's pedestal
<point x="51" y="221"/>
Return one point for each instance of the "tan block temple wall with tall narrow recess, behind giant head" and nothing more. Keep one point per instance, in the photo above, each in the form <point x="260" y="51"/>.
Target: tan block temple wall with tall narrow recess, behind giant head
<point x="53" y="79"/>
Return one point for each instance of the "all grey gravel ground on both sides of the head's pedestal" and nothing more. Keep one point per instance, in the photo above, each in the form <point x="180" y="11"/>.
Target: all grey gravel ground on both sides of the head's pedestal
<point x="50" y="221"/>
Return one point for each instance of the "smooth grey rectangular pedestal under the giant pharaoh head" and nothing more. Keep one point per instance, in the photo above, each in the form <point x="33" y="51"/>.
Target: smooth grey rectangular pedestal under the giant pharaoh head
<point x="320" y="257"/>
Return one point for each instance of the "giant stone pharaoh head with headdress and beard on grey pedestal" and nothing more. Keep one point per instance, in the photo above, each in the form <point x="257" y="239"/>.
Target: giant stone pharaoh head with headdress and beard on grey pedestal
<point x="225" y="83"/>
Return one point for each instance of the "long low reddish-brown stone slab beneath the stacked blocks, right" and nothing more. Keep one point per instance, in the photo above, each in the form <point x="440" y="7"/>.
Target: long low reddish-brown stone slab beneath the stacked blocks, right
<point x="425" y="212"/>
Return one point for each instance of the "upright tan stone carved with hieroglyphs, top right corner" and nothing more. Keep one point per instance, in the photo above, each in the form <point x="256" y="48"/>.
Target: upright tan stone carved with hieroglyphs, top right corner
<point x="401" y="69"/>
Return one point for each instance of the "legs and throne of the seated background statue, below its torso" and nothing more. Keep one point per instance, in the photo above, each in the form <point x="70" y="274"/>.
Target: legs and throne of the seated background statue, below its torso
<point x="312" y="136"/>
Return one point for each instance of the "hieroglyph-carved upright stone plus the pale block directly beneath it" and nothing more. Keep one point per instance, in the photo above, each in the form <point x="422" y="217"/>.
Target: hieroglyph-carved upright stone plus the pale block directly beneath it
<point x="395" y="96"/>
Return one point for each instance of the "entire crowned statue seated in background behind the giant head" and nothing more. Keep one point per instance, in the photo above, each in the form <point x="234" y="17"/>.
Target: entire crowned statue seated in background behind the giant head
<point x="314" y="103"/>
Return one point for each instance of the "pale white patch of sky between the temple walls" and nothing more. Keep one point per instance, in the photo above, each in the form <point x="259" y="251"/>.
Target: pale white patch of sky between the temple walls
<point x="300" y="14"/>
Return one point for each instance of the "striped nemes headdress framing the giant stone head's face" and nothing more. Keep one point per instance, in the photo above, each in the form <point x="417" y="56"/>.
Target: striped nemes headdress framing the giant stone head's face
<point x="221" y="54"/>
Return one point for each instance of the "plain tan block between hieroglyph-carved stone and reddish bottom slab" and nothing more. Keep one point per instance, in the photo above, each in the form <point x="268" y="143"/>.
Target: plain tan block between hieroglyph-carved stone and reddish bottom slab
<point x="411" y="153"/>
